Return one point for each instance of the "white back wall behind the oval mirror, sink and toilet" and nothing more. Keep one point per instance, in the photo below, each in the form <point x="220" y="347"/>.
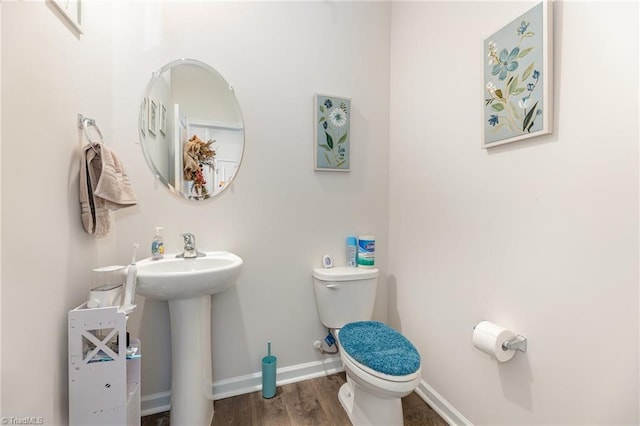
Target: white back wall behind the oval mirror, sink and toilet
<point x="280" y="216"/>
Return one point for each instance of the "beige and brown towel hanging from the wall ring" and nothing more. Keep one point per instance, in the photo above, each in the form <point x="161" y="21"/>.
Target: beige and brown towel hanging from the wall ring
<point x="104" y="186"/>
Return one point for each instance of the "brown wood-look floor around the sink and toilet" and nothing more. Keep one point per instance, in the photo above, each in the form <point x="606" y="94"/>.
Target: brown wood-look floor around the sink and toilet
<point x="312" y="402"/>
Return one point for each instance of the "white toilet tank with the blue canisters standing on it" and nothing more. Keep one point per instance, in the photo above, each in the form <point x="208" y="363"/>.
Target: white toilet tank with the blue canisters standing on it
<point x="345" y="295"/>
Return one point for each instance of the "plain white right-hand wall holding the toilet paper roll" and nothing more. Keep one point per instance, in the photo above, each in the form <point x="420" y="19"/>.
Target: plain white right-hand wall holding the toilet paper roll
<point x="539" y="236"/>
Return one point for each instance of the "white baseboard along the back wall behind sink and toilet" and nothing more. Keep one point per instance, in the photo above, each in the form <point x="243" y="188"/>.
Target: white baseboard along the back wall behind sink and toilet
<point x="159" y="402"/>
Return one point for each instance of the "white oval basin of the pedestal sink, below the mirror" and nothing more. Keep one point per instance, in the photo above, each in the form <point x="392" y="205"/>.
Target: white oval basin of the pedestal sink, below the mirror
<point x="177" y="278"/>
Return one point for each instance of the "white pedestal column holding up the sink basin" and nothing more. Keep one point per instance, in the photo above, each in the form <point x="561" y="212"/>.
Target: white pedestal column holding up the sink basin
<point x="191" y="378"/>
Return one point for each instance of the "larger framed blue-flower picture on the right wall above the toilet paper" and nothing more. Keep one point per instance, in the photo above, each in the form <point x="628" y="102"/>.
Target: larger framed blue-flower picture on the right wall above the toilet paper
<point x="518" y="85"/>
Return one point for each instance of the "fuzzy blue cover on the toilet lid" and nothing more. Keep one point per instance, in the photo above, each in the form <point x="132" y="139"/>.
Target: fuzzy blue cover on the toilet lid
<point x="379" y="347"/>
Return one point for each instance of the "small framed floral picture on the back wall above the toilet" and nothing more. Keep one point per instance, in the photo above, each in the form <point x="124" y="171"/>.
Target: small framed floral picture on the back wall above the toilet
<point x="332" y="137"/>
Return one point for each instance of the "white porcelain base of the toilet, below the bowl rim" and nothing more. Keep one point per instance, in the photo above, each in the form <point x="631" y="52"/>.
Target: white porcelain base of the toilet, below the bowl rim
<point x="364" y="408"/>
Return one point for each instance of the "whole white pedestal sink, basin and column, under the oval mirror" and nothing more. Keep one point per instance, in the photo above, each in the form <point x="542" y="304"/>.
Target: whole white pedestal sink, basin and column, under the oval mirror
<point x="187" y="284"/>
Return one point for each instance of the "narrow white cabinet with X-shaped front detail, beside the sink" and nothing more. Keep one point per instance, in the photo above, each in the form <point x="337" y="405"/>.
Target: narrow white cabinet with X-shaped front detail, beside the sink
<point x="104" y="374"/>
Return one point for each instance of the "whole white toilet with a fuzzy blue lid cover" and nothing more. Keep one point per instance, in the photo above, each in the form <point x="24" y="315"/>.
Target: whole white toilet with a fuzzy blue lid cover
<point x="382" y="366"/>
